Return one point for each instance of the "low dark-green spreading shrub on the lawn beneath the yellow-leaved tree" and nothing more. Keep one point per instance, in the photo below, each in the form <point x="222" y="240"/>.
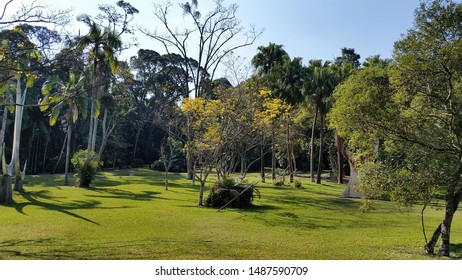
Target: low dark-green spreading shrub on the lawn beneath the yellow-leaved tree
<point x="232" y="194"/>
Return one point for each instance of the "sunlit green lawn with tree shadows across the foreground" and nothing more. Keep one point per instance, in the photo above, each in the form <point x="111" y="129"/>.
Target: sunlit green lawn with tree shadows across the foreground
<point x="134" y="217"/>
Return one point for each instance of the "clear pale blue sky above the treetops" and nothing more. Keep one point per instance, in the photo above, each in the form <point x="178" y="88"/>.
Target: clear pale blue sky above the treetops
<point x="306" y="28"/>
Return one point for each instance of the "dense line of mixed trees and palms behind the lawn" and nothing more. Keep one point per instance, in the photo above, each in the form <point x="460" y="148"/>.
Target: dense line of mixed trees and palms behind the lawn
<point x="392" y="124"/>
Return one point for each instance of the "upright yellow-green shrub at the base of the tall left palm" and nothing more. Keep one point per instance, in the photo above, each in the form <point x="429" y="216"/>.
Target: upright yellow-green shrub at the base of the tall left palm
<point x="86" y="168"/>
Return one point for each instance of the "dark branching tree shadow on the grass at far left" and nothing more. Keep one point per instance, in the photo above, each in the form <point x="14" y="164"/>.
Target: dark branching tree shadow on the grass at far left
<point x="36" y="199"/>
